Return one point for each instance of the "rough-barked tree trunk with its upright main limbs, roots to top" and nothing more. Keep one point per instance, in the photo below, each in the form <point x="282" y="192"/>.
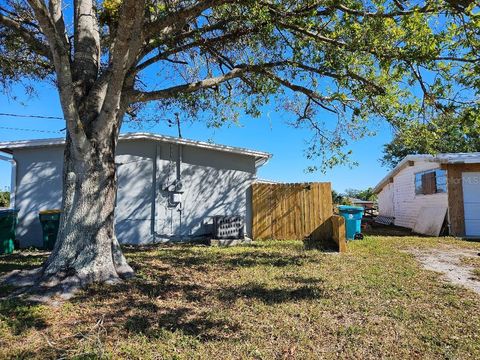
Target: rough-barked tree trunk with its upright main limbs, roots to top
<point x="87" y="250"/>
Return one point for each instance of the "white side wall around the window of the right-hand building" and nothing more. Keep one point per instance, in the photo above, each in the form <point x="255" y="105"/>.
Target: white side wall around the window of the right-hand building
<point x="398" y="199"/>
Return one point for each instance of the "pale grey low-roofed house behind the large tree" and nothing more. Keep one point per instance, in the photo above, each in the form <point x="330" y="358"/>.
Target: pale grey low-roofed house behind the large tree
<point x="168" y="188"/>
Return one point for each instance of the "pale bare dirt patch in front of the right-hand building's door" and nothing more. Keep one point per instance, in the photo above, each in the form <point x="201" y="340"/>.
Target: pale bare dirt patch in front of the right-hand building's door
<point x="451" y="263"/>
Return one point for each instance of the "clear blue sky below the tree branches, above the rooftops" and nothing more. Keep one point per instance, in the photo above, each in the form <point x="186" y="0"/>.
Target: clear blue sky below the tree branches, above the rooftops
<point x="268" y="133"/>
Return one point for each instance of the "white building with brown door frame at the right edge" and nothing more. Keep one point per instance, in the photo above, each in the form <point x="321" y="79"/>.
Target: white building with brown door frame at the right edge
<point x="450" y="181"/>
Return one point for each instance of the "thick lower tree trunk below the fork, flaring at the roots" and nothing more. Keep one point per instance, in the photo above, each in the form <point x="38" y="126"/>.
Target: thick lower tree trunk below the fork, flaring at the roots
<point x="87" y="250"/>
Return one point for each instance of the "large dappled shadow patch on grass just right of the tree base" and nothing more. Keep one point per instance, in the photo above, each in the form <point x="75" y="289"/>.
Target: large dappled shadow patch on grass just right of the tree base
<point x="137" y="310"/>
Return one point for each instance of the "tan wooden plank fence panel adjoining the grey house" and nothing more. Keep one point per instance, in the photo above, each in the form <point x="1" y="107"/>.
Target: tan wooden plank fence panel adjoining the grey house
<point x="291" y="211"/>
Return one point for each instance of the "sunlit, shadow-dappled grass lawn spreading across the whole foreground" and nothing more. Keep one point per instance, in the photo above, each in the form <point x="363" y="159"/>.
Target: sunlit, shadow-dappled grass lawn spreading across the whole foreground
<point x="265" y="301"/>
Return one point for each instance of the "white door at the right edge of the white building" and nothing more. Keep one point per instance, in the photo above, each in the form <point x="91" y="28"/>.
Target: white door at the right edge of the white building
<point x="471" y="202"/>
